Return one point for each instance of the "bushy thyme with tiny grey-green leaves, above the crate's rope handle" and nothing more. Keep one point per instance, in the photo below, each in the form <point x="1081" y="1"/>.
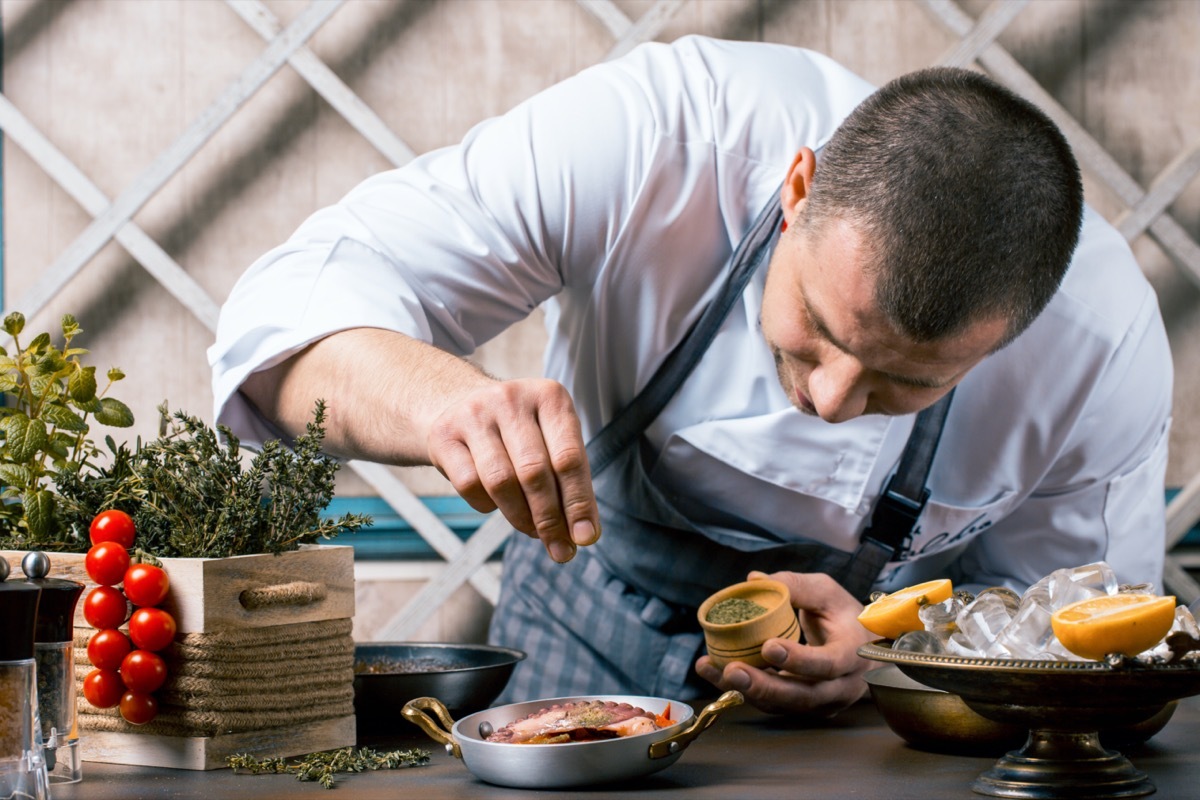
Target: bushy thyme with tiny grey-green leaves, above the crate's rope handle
<point x="195" y="492"/>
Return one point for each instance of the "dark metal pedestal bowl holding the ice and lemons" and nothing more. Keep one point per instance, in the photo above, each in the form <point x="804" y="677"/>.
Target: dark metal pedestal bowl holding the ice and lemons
<point x="1064" y="706"/>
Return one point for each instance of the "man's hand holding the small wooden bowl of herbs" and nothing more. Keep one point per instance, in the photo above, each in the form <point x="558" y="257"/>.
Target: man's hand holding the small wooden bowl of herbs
<point x="819" y="678"/>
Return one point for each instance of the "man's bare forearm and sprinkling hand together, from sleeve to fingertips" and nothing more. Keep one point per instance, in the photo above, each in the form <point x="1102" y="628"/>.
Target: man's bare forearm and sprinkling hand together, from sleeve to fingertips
<point x="514" y="446"/>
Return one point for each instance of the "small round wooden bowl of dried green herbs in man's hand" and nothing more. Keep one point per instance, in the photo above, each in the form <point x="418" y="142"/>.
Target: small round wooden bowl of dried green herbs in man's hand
<point x="743" y="641"/>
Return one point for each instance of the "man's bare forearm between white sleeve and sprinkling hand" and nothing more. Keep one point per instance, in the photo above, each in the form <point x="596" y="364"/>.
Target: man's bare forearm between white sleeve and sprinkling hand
<point x="382" y="392"/>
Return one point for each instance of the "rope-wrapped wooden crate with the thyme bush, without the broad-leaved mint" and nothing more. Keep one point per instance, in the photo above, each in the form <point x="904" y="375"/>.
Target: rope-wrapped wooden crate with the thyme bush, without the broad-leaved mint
<point x="257" y="603"/>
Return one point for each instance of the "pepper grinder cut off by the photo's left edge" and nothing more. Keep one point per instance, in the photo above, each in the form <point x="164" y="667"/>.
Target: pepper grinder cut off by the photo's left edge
<point x="22" y="768"/>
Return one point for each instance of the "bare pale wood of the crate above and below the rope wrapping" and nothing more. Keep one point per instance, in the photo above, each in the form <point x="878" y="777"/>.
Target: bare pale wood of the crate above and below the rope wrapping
<point x="218" y="596"/>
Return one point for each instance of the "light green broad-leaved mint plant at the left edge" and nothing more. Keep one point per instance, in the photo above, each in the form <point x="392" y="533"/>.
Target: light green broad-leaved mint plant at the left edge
<point x="49" y="398"/>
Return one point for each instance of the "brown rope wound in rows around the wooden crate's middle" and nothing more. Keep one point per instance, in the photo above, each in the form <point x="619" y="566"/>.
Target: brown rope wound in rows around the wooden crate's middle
<point x="248" y="679"/>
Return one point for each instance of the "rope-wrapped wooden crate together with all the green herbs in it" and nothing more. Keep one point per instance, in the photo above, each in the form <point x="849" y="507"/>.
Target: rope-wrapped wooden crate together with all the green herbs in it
<point x="257" y="603"/>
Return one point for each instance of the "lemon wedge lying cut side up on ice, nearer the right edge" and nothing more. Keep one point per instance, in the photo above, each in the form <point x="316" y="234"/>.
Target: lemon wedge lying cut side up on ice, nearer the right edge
<point x="1126" y="624"/>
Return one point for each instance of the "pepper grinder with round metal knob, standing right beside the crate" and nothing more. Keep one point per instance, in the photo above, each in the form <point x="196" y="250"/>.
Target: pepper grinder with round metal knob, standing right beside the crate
<point x="55" y="653"/>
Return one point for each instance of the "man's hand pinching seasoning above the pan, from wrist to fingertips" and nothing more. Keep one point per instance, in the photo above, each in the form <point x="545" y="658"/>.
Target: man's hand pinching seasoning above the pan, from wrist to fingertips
<point x="517" y="446"/>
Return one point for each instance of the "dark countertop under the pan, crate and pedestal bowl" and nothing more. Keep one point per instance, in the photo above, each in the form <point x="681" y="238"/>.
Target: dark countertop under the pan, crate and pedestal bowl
<point x="745" y="756"/>
